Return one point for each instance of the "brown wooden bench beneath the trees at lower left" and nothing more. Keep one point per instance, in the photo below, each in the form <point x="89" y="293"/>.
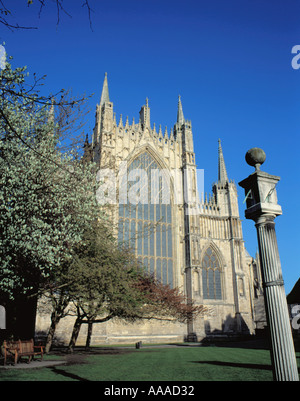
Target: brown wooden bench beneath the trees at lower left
<point x="17" y="349"/>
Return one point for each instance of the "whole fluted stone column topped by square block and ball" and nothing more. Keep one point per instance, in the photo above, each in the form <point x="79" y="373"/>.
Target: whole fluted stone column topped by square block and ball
<point x="262" y="207"/>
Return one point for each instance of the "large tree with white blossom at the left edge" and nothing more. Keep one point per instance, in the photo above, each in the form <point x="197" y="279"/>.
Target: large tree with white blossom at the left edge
<point x="47" y="198"/>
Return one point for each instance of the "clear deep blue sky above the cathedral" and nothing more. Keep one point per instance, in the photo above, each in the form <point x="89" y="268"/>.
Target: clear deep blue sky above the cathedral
<point x="229" y="60"/>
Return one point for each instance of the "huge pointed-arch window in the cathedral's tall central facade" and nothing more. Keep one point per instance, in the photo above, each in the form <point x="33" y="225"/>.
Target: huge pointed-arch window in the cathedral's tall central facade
<point x="145" y="219"/>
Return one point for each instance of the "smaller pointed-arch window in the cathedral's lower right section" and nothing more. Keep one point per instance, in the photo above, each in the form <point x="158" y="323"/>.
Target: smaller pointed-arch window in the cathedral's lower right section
<point x="211" y="276"/>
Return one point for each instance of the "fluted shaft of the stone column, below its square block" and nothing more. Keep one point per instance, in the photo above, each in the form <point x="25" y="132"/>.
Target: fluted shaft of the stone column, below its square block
<point x="282" y="345"/>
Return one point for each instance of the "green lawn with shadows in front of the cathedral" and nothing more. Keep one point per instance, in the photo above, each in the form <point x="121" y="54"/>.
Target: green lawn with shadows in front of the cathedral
<point x="159" y="364"/>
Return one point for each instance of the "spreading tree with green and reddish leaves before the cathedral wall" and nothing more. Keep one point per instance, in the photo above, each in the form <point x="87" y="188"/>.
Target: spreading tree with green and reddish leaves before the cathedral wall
<point x="111" y="284"/>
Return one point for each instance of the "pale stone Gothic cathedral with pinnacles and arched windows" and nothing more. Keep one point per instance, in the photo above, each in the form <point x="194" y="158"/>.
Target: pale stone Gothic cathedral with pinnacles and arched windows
<point x="189" y="241"/>
